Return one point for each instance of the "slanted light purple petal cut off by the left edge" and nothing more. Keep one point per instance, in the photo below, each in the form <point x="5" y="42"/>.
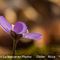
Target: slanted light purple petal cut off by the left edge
<point x="6" y="26"/>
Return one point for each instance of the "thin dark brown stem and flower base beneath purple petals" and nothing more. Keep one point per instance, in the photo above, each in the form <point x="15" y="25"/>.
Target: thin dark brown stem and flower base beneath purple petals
<point x="14" y="37"/>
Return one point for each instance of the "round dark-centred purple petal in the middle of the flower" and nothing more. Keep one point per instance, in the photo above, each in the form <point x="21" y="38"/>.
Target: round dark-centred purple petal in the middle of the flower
<point x="20" y="28"/>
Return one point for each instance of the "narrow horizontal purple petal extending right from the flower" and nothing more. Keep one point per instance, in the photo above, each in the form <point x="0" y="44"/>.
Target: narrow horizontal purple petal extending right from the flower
<point x="34" y="36"/>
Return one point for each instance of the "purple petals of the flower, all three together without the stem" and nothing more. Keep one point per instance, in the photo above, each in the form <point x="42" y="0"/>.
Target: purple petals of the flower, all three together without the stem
<point x="18" y="28"/>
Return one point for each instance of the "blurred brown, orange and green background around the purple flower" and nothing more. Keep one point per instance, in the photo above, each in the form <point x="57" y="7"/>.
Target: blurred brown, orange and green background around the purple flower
<point x="42" y="16"/>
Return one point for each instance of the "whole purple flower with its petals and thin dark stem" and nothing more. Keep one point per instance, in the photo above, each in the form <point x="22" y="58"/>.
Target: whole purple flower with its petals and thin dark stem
<point x="19" y="28"/>
